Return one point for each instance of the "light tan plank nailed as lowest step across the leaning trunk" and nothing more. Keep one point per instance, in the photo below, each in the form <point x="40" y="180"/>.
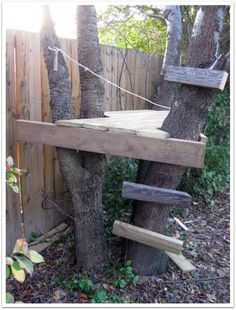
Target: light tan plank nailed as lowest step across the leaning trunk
<point x="147" y="237"/>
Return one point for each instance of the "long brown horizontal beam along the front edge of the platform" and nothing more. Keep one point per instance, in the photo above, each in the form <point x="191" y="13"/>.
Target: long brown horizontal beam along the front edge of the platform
<point x="171" y="151"/>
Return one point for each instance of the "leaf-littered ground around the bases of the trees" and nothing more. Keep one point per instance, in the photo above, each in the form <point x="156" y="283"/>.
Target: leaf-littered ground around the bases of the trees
<point x="206" y="245"/>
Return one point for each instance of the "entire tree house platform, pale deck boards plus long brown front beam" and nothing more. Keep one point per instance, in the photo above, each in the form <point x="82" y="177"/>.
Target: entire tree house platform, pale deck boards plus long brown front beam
<point x="133" y="134"/>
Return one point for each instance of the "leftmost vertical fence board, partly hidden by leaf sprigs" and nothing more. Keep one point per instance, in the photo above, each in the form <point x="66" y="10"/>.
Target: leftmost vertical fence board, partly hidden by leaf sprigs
<point x="13" y="214"/>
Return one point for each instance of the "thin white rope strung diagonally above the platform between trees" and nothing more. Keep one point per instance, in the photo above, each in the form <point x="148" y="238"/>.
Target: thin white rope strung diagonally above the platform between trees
<point x="105" y="80"/>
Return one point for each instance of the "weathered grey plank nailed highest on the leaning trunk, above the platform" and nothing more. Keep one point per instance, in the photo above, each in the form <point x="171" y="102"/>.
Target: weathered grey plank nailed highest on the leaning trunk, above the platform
<point x="197" y="76"/>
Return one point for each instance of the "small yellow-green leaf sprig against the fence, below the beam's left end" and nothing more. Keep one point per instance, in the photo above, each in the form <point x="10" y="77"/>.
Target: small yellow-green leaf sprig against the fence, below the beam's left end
<point x="12" y="175"/>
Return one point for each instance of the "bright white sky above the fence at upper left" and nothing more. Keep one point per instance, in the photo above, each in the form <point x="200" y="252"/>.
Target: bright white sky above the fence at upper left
<point x="28" y="16"/>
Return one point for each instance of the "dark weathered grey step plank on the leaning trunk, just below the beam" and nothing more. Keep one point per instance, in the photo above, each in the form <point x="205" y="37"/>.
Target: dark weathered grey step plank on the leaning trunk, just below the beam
<point x="155" y="194"/>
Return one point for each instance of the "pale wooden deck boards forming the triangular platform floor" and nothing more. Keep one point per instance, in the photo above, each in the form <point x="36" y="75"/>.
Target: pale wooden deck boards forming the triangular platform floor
<point x="145" y="123"/>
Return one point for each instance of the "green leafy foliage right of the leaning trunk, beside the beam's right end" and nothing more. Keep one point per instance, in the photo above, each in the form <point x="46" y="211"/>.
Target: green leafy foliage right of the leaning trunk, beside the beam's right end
<point x="214" y="176"/>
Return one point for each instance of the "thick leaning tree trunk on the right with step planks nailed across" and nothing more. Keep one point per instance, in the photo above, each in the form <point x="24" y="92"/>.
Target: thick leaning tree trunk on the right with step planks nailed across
<point x="185" y="121"/>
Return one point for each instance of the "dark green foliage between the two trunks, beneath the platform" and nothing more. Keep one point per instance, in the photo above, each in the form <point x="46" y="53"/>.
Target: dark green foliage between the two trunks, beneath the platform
<point x="119" y="169"/>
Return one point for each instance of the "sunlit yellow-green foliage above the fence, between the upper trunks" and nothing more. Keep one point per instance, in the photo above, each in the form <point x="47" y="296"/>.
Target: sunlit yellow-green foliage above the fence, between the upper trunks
<point x="128" y="27"/>
